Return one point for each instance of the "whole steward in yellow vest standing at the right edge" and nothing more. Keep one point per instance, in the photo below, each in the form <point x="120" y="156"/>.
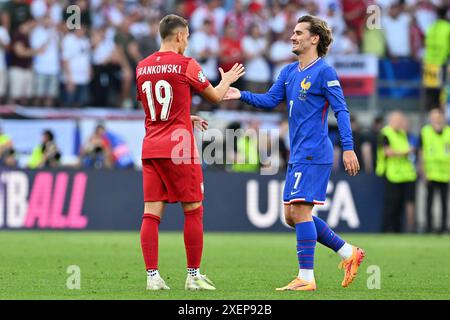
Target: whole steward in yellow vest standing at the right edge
<point x="435" y="165"/>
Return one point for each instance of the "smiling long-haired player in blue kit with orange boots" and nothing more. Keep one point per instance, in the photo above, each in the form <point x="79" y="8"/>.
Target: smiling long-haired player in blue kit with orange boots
<point x="309" y="87"/>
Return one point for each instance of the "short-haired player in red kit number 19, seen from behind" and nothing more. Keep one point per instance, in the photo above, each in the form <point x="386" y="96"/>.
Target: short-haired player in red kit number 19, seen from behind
<point x="170" y="163"/>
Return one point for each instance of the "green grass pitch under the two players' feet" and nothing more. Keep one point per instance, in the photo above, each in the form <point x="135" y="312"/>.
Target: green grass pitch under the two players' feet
<point x="244" y="266"/>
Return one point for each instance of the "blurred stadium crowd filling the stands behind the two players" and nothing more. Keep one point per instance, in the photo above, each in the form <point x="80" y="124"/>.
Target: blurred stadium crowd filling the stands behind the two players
<point x="49" y="57"/>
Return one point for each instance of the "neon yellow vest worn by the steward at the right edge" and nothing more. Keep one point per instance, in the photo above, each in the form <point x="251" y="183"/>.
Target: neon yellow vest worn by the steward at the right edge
<point x="436" y="154"/>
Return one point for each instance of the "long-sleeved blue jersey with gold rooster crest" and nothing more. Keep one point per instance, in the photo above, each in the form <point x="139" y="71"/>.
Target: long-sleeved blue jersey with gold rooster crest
<point x="308" y="93"/>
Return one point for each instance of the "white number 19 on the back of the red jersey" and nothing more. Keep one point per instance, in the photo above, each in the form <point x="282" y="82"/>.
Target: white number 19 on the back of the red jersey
<point x="165" y="101"/>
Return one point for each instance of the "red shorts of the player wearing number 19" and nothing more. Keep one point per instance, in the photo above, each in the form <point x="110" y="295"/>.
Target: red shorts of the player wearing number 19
<point x="163" y="180"/>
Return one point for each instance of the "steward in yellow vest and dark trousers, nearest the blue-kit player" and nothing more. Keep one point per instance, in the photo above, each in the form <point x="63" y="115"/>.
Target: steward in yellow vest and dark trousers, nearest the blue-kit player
<point x="395" y="165"/>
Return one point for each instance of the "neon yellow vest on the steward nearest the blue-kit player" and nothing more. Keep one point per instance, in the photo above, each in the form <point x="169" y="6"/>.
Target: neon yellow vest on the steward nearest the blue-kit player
<point x="398" y="169"/>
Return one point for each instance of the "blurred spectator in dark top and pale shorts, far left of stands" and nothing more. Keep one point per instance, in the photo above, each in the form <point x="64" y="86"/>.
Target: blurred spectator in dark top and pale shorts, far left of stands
<point x="20" y="72"/>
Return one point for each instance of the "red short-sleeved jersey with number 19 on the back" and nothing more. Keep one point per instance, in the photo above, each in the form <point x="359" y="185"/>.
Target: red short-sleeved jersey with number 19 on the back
<point x="165" y="81"/>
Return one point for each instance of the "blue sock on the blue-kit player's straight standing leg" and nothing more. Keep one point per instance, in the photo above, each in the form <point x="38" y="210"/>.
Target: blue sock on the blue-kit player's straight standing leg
<point x="306" y="244"/>
